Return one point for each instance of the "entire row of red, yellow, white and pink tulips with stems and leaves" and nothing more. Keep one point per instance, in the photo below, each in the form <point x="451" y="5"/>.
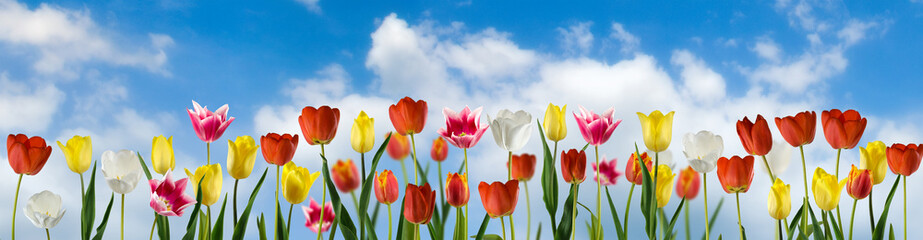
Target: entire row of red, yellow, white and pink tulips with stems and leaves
<point x="511" y="130"/>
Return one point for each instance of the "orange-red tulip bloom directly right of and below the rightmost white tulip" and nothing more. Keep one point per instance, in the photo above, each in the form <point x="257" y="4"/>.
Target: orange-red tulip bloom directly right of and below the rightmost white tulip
<point x="735" y="173"/>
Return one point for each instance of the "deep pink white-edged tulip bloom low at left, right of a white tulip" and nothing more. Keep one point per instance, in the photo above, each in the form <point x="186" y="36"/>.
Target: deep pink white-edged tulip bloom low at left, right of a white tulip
<point x="168" y="197"/>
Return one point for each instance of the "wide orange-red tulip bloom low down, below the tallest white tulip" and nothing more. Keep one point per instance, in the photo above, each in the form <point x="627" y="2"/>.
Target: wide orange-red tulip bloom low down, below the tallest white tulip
<point x="499" y="198"/>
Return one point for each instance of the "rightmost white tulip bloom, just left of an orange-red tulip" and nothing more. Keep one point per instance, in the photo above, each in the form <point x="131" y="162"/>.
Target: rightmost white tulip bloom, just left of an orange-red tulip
<point x="703" y="150"/>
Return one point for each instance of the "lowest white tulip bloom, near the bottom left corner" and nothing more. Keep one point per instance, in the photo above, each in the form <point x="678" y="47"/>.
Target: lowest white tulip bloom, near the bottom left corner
<point x="44" y="209"/>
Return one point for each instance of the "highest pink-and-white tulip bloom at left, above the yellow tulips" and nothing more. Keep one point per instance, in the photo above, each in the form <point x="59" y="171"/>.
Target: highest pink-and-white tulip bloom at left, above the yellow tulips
<point x="209" y="126"/>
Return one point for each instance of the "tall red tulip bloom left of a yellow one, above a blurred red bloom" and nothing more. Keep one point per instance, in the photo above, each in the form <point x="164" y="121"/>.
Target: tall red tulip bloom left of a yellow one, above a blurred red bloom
<point x="319" y="125"/>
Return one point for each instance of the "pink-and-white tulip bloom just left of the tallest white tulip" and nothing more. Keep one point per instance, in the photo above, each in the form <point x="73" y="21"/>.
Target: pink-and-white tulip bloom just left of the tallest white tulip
<point x="463" y="129"/>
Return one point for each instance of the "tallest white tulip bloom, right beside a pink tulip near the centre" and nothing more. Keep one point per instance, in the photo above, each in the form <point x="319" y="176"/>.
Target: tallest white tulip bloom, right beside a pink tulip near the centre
<point x="511" y="130"/>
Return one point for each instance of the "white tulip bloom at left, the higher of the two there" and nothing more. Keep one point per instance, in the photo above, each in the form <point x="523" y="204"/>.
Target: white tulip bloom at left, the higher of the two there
<point x="122" y="170"/>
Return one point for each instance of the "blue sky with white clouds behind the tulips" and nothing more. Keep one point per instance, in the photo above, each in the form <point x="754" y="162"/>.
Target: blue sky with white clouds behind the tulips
<point x="123" y="72"/>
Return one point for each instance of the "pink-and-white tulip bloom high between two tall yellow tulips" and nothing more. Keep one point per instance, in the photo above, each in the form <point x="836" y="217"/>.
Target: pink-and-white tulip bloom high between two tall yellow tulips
<point x="596" y="129"/>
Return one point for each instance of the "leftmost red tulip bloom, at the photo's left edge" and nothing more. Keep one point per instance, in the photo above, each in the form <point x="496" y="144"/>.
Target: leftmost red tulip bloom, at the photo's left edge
<point x="27" y="155"/>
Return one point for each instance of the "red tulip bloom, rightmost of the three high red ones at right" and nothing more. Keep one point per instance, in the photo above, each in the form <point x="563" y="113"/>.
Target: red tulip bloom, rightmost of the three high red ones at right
<point x="843" y="129"/>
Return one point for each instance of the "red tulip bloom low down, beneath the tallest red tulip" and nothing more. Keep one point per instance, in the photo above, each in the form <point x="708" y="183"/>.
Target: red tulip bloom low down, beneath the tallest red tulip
<point x="419" y="202"/>
